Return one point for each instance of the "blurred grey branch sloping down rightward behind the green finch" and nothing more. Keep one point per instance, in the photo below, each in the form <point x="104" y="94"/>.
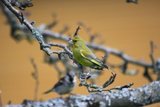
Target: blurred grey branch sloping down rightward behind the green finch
<point x="102" y="48"/>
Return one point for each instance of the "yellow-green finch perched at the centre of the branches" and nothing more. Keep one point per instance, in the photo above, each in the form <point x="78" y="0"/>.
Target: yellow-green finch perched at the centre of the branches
<point x="83" y="55"/>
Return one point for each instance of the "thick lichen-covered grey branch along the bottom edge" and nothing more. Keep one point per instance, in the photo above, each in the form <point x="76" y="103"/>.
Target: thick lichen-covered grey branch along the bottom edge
<point x="144" y="95"/>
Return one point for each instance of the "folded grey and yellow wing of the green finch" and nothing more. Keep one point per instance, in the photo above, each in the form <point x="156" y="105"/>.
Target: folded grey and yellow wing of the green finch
<point x="89" y="56"/>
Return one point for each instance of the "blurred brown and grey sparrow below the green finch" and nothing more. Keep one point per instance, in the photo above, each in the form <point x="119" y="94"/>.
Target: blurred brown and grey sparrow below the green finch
<point x="65" y="85"/>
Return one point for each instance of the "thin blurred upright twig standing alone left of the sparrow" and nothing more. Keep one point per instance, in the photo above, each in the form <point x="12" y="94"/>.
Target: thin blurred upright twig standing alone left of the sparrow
<point x="35" y="76"/>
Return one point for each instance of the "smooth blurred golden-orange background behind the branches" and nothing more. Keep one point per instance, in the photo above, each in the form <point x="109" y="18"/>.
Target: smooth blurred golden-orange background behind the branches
<point x="126" y="27"/>
